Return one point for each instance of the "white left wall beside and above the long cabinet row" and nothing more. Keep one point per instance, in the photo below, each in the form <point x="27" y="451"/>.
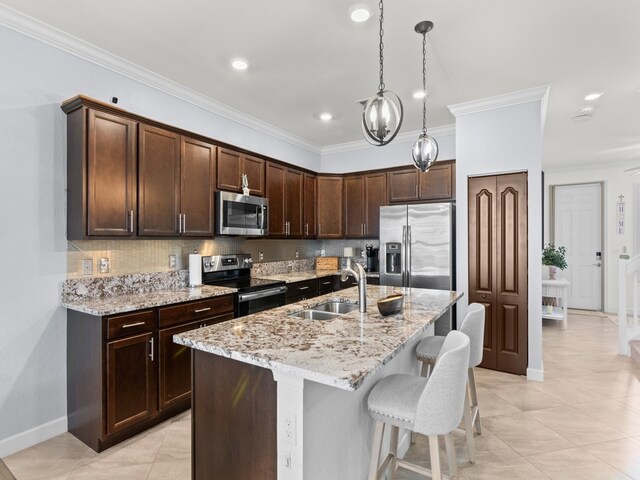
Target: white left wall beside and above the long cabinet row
<point x="35" y="79"/>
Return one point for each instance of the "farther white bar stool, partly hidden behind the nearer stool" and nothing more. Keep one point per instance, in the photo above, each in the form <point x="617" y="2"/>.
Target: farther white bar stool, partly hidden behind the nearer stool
<point x="428" y="350"/>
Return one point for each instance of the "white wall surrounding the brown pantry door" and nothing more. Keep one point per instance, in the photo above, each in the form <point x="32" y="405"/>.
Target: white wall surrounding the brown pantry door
<point x="493" y="141"/>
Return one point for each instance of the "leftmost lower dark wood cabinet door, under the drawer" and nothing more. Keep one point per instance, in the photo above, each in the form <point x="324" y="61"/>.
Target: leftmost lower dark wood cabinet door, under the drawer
<point x="130" y="381"/>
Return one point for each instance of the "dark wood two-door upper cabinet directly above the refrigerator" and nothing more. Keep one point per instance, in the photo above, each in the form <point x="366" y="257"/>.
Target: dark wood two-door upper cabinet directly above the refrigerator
<point x="411" y="185"/>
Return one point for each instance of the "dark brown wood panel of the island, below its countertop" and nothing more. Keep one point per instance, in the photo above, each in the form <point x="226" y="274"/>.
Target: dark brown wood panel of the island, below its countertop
<point x="233" y="420"/>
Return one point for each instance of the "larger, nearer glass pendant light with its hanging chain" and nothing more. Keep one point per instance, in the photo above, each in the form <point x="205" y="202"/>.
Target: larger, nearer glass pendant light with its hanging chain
<point x="383" y="112"/>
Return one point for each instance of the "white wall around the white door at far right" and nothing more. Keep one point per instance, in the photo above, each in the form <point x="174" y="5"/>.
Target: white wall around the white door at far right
<point x="616" y="182"/>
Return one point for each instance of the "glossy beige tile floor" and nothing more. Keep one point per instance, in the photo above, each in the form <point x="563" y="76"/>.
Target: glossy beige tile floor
<point x="582" y="422"/>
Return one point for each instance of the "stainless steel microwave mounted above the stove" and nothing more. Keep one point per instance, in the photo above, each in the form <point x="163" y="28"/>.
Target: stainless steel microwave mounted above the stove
<point x="241" y="214"/>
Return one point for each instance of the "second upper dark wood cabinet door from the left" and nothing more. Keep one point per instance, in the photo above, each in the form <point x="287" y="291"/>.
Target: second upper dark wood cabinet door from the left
<point x="158" y="182"/>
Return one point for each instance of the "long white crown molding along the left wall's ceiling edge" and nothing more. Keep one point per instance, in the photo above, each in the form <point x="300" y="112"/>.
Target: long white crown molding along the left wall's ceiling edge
<point x="60" y="40"/>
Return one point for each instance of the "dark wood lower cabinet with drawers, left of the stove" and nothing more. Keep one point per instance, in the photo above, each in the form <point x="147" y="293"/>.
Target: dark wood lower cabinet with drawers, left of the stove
<point x="125" y="374"/>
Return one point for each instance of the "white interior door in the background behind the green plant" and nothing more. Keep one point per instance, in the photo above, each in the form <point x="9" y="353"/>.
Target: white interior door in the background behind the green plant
<point x="578" y="227"/>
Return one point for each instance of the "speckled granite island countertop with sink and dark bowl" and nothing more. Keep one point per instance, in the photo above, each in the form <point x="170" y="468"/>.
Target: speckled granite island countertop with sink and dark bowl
<point x="342" y="352"/>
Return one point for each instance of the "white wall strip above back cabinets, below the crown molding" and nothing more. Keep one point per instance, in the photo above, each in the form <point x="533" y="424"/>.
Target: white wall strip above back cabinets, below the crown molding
<point x="362" y="156"/>
